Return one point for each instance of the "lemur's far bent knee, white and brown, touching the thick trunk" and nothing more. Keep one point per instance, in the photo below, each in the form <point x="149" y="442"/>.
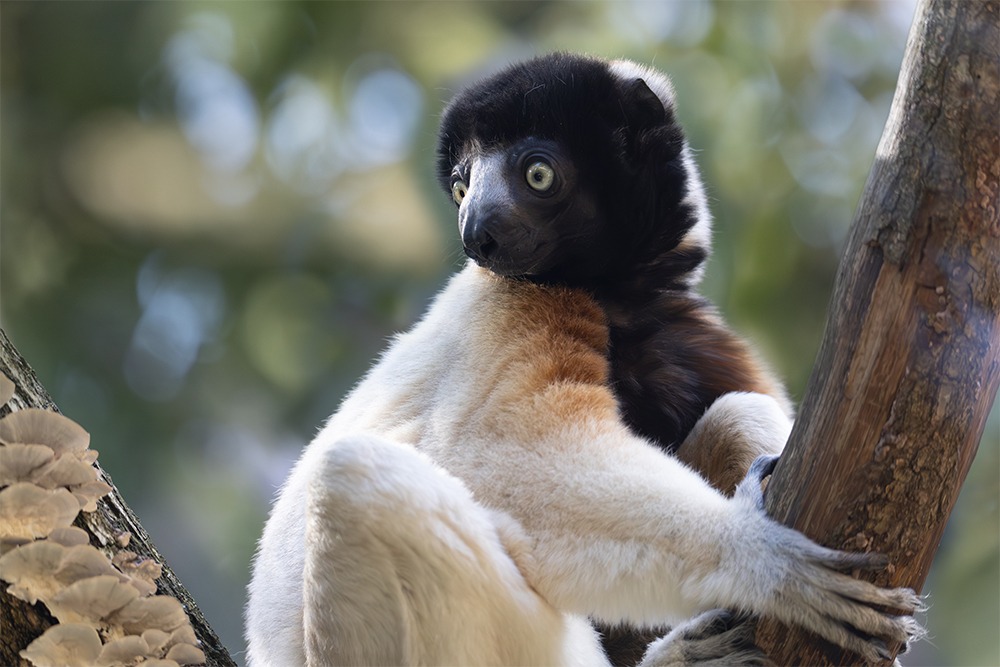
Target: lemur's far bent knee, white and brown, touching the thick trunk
<point x="736" y="429"/>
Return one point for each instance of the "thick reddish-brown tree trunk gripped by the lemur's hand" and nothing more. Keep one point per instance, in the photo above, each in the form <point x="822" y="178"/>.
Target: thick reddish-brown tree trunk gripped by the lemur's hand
<point x="908" y="367"/>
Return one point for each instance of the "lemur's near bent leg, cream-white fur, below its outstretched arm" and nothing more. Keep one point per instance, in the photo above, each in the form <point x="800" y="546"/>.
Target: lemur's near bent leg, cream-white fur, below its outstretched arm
<point x="404" y="567"/>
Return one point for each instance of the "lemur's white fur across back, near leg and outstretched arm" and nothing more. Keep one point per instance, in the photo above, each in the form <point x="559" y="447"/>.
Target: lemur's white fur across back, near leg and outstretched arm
<point x="376" y="552"/>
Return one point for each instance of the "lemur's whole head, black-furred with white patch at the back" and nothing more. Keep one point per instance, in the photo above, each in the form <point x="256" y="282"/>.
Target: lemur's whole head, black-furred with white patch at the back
<point x="574" y="170"/>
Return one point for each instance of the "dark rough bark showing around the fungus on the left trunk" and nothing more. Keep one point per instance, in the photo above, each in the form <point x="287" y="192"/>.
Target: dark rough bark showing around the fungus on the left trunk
<point x="20" y="623"/>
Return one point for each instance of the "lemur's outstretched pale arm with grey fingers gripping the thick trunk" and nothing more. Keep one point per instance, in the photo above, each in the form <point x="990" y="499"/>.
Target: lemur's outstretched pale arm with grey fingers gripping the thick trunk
<point x="623" y="533"/>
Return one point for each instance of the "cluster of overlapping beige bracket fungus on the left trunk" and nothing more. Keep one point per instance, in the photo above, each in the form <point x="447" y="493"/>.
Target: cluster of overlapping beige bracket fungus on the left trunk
<point x="107" y="611"/>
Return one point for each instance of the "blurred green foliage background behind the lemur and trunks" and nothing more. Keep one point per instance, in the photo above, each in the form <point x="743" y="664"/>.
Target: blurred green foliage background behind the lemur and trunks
<point x="213" y="215"/>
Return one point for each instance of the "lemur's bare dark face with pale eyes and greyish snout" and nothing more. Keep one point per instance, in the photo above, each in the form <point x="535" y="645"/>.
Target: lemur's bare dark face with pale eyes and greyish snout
<point x="522" y="210"/>
